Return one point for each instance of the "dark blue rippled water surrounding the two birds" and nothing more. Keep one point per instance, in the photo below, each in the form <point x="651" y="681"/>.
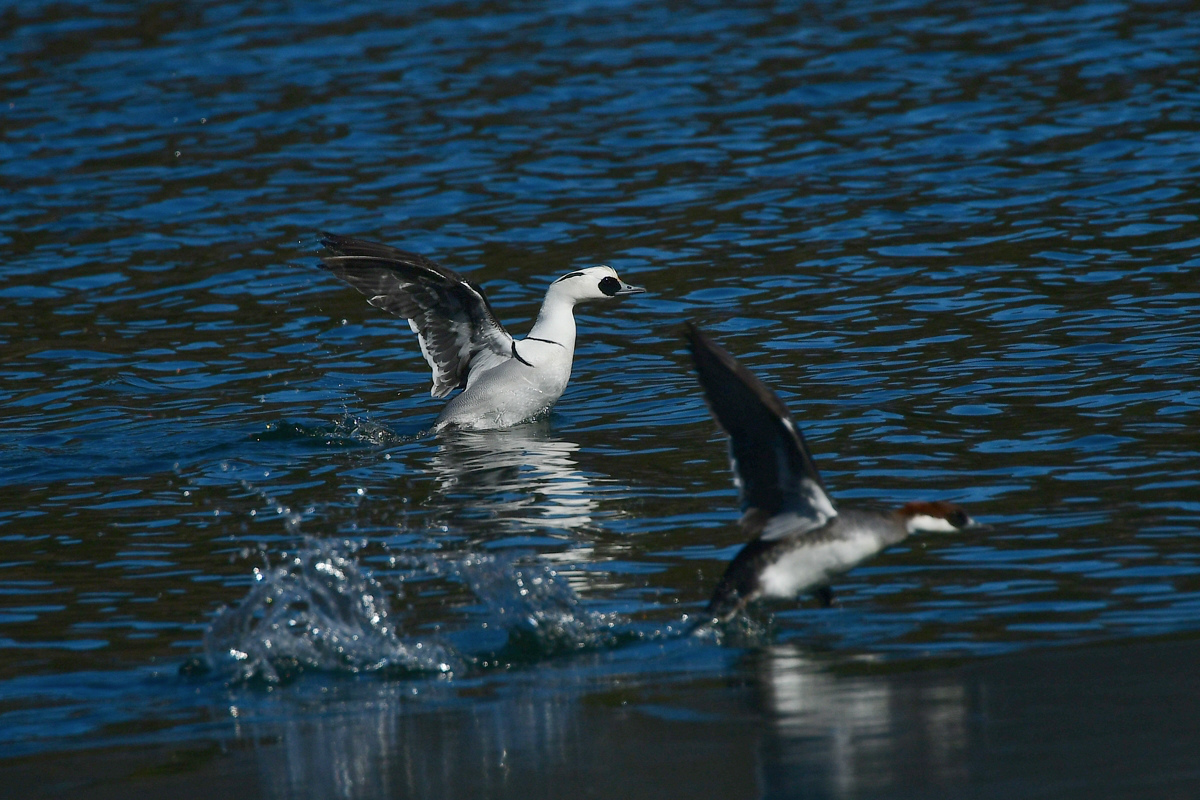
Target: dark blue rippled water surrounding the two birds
<point x="959" y="240"/>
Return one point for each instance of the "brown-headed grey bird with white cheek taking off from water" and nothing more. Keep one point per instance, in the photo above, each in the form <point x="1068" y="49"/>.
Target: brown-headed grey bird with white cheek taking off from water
<point x="801" y="543"/>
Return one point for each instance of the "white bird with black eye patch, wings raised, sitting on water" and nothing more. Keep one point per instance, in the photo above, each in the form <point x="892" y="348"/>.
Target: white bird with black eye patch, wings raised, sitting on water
<point x="505" y="381"/>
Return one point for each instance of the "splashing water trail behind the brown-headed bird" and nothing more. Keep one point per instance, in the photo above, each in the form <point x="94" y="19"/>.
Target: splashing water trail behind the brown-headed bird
<point x="321" y="610"/>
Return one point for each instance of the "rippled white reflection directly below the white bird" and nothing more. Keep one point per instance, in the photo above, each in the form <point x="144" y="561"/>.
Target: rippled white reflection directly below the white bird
<point x="527" y="473"/>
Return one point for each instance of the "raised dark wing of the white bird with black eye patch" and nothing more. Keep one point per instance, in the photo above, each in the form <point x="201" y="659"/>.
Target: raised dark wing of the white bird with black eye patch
<point x="451" y="316"/>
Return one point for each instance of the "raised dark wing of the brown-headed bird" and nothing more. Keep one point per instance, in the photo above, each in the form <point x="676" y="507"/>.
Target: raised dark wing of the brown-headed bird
<point x="781" y="486"/>
